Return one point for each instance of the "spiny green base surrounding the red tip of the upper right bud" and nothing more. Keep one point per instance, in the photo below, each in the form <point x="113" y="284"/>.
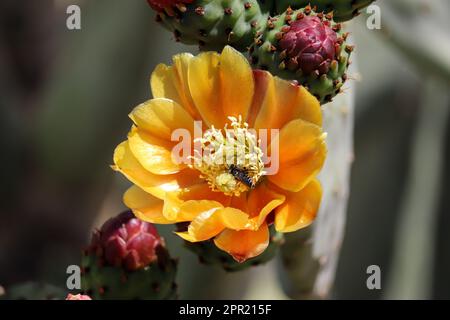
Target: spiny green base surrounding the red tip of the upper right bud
<point x="266" y="54"/>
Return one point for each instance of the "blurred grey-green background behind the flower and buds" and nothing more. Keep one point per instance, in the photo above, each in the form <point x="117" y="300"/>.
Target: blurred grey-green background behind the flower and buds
<point x="64" y="100"/>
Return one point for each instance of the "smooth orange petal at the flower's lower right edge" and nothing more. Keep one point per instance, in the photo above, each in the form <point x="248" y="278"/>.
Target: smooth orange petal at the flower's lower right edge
<point x="300" y="208"/>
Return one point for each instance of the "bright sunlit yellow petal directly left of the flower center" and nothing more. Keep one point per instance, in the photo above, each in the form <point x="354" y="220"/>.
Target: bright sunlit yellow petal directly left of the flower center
<point x="154" y="154"/>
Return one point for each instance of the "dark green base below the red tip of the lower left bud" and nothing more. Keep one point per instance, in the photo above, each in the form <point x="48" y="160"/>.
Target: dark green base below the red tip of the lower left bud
<point x="156" y="281"/>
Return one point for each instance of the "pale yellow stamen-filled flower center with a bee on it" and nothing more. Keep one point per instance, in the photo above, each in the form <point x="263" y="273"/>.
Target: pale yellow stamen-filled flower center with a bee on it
<point x="230" y="160"/>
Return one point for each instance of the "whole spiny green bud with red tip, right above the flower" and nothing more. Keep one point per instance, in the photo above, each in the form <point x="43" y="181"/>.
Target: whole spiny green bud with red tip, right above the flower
<point x="305" y="46"/>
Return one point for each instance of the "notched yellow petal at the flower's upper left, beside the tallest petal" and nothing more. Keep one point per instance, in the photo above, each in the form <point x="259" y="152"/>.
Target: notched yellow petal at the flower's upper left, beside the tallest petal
<point x="172" y="82"/>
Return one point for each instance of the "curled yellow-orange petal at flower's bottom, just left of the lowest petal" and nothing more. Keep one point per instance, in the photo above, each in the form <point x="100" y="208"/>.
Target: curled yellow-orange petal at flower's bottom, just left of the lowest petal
<point x="210" y="223"/>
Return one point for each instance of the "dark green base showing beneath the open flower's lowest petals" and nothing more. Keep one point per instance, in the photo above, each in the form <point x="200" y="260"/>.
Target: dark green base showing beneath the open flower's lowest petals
<point x="209" y="254"/>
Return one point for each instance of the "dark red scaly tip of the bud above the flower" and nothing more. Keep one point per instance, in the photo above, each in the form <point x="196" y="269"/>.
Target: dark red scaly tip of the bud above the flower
<point x="311" y="44"/>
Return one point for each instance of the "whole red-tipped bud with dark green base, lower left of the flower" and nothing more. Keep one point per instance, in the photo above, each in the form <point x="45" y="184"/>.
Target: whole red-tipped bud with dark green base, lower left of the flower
<point x="128" y="260"/>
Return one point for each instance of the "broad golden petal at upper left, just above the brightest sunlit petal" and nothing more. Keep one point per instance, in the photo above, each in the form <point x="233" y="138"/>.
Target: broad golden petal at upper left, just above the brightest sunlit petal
<point x="161" y="117"/>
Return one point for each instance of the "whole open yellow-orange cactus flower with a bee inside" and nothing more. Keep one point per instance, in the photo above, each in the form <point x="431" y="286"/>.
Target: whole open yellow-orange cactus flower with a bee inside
<point x="223" y="105"/>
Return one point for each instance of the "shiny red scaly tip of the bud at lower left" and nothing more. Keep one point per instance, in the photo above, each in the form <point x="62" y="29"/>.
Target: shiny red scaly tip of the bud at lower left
<point x="126" y="241"/>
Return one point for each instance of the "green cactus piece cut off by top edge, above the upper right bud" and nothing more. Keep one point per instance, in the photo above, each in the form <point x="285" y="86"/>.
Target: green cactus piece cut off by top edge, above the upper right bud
<point x="343" y="10"/>
